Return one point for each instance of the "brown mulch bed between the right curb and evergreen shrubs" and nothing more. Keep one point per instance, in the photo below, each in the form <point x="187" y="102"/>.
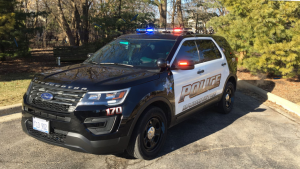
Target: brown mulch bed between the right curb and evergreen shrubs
<point x="286" y="88"/>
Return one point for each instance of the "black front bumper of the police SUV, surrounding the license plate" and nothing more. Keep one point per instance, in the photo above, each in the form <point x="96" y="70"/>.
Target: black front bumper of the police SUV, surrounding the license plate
<point x="71" y="132"/>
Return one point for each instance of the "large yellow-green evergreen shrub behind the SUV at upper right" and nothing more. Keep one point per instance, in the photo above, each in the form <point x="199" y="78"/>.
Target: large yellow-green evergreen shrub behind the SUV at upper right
<point x="270" y="28"/>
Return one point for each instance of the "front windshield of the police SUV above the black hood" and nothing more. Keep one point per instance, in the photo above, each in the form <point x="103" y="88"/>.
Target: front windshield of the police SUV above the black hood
<point x="133" y="52"/>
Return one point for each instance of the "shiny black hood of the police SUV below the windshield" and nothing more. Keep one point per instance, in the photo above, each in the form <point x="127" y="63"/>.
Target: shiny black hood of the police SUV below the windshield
<point x="97" y="77"/>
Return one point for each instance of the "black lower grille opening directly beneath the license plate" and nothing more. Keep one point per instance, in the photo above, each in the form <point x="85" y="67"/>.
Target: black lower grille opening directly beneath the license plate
<point x="52" y="137"/>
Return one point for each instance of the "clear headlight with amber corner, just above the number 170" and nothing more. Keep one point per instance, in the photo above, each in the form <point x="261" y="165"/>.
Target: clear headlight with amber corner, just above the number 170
<point x="105" y="98"/>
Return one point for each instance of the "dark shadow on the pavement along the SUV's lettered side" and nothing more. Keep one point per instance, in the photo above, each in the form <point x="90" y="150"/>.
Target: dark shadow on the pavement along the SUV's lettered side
<point x="208" y="122"/>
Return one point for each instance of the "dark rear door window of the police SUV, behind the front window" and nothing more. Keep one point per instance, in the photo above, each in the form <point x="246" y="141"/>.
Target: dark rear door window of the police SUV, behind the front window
<point x="207" y="50"/>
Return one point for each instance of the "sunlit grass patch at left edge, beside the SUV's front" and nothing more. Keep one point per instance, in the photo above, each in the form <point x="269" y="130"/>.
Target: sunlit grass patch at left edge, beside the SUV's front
<point x="13" y="86"/>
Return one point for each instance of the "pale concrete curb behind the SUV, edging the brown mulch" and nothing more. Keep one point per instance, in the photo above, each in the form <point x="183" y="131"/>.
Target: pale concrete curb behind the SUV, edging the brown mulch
<point x="269" y="96"/>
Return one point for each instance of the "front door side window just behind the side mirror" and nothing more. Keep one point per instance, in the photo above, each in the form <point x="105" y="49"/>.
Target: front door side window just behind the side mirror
<point x="188" y="51"/>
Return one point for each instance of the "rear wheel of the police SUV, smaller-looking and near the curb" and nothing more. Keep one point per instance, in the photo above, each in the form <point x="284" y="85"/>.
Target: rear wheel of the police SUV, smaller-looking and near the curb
<point x="226" y="103"/>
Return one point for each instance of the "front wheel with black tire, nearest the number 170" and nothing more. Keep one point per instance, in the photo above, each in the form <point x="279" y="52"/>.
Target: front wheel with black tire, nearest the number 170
<point x="143" y="144"/>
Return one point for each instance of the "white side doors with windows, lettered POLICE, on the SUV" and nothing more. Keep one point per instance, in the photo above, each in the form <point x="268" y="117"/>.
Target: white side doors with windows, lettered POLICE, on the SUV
<point x="194" y="87"/>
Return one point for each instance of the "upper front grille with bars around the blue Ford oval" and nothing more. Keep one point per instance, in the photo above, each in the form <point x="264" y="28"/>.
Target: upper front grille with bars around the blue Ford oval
<point x="64" y="100"/>
